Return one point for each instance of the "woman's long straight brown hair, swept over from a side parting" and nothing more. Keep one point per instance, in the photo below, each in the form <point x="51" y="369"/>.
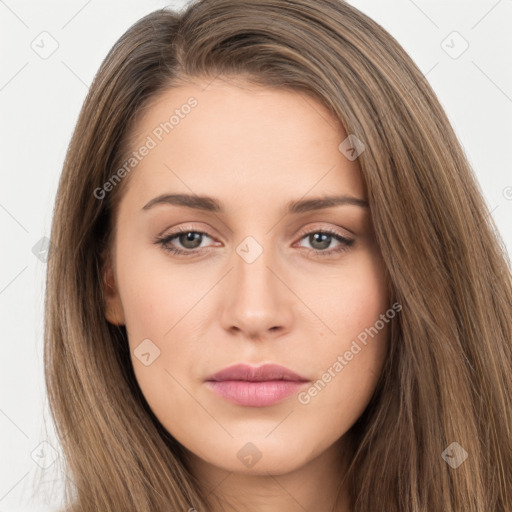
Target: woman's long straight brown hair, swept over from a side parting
<point x="448" y="377"/>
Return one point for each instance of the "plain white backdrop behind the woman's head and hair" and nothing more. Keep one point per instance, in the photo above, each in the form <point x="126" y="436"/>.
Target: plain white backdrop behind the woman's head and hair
<point x="50" y="53"/>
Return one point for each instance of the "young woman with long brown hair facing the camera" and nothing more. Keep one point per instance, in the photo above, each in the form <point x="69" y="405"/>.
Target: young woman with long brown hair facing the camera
<point x="198" y="355"/>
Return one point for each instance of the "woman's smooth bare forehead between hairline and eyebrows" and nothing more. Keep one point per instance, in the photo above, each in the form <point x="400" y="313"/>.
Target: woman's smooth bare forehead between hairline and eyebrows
<point x="239" y="140"/>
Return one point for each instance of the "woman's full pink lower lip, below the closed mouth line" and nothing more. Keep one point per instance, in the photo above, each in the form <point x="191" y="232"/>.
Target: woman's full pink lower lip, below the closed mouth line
<point x="255" y="394"/>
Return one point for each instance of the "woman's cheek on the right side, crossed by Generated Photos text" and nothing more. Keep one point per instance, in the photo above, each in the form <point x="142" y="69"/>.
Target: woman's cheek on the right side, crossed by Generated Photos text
<point x="350" y="360"/>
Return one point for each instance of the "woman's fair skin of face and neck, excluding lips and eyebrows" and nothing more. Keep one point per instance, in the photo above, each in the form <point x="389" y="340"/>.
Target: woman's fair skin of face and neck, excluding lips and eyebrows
<point x="253" y="149"/>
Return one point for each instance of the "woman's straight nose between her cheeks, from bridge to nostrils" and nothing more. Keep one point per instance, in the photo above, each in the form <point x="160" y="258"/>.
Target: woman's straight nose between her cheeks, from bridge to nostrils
<point x="257" y="302"/>
